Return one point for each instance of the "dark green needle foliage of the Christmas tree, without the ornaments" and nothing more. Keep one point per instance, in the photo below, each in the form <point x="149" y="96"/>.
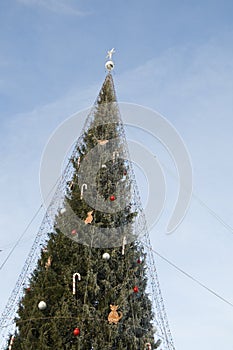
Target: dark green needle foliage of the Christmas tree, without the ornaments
<point x="103" y="282"/>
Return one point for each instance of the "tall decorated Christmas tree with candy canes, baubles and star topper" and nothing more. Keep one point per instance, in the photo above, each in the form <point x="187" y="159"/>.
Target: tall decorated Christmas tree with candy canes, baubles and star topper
<point x="89" y="289"/>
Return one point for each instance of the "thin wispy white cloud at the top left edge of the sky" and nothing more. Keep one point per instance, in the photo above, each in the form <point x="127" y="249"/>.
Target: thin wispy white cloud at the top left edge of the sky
<point x="57" y="6"/>
